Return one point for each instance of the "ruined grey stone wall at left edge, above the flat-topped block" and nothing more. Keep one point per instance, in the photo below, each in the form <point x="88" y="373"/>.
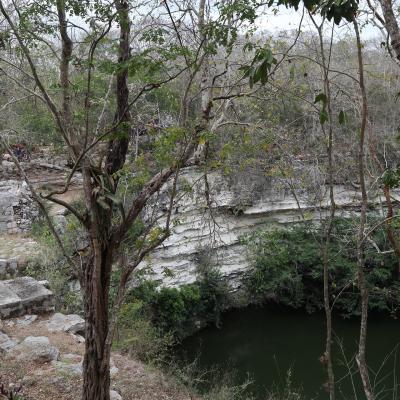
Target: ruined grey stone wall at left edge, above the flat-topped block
<point x="17" y="208"/>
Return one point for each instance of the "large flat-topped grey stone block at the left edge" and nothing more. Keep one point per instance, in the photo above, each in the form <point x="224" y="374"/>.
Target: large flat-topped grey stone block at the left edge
<point x="23" y="296"/>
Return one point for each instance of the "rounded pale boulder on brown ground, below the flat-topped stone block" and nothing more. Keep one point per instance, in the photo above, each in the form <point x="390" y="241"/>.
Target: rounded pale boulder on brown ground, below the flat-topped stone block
<point x="35" y="348"/>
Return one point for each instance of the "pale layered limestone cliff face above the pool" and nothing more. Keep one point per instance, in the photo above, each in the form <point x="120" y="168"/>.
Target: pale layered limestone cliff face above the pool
<point x="237" y="208"/>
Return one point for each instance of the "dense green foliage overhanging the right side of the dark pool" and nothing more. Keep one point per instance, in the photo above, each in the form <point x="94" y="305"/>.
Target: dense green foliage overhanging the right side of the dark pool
<point x="287" y="267"/>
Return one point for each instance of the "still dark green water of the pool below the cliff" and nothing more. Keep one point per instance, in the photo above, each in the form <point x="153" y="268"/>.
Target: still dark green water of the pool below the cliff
<point x="264" y="344"/>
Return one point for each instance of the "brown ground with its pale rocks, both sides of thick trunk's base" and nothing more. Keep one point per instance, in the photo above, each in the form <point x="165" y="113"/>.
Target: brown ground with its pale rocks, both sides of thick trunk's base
<point x="43" y="355"/>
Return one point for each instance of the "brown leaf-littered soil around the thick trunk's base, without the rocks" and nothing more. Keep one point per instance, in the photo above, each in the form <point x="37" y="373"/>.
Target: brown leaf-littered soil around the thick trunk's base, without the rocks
<point x="134" y="380"/>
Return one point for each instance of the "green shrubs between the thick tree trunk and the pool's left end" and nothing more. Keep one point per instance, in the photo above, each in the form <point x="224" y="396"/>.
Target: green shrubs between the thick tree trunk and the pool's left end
<point x="171" y="313"/>
